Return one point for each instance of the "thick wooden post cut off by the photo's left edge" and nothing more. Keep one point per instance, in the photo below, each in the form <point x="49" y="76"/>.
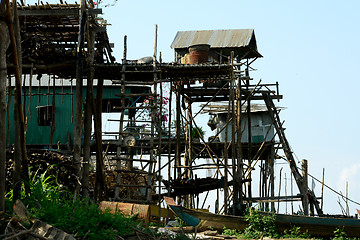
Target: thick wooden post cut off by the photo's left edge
<point x="4" y="43"/>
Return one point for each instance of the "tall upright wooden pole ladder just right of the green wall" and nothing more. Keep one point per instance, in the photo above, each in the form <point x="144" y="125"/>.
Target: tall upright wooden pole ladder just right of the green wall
<point x="137" y="147"/>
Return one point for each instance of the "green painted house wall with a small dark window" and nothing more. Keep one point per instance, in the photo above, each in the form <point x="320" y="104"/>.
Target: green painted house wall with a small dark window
<point x="64" y="113"/>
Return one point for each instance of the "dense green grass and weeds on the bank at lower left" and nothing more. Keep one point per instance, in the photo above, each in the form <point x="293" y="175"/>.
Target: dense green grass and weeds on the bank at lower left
<point x="54" y="205"/>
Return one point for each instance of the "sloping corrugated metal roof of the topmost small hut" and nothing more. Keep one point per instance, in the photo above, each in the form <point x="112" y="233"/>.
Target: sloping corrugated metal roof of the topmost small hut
<point x="215" y="38"/>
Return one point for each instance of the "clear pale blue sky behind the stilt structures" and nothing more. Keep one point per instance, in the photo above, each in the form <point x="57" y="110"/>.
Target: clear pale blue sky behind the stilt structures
<point x="310" y="47"/>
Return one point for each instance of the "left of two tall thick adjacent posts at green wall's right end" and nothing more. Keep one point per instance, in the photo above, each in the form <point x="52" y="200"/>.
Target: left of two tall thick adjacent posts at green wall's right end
<point x="78" y="100"/>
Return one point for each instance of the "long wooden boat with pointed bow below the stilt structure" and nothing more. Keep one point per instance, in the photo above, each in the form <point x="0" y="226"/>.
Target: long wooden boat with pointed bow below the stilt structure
<point x="315" y="226"/>
